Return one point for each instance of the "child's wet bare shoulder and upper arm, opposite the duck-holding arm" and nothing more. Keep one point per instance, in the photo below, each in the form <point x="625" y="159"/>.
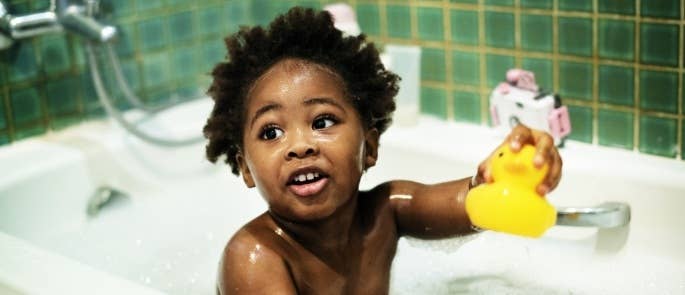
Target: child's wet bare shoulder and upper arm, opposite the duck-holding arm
<point x="251" y="265"/>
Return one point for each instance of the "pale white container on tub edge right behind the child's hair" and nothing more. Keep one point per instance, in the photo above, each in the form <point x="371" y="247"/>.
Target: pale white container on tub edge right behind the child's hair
<point x="405" y="61"/>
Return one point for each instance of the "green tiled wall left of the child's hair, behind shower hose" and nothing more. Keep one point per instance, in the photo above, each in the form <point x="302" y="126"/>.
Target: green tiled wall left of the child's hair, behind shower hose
<point x="166" y="48"/>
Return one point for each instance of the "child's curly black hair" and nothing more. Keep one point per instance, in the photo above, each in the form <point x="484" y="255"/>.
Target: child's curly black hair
<point x="302" y="34"/>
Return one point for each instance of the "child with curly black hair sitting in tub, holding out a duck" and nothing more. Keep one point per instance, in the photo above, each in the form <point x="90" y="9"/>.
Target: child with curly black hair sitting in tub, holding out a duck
<point x="298" y="113"/>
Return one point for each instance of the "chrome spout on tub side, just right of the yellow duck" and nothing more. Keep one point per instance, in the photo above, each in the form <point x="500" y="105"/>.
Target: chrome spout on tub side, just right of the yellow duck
<point x="606" y="215"/>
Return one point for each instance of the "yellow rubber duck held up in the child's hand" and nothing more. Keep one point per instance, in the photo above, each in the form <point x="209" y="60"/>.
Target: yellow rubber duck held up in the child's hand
<point x="510" y="203"/>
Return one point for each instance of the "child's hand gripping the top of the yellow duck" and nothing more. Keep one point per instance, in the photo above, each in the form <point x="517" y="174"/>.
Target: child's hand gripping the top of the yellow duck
<point x="546" y="152"/>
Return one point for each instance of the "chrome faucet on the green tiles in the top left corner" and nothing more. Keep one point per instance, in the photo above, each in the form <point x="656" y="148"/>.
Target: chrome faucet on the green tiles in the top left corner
<point x="62" y="15"/>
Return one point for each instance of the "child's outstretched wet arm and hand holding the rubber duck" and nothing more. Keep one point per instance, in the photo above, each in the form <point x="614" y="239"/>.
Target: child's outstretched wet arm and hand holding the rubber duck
<point x="438" y="210"/>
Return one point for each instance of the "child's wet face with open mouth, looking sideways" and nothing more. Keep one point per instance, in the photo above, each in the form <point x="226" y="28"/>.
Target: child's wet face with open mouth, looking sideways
<point x="304" y="145"/>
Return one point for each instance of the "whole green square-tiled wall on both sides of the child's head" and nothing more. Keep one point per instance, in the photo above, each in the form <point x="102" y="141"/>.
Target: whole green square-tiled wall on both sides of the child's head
<point x="617" y="64"/>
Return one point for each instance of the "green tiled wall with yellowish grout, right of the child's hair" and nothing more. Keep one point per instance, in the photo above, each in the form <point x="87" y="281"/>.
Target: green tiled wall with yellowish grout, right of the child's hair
<point x="617" y="64"/>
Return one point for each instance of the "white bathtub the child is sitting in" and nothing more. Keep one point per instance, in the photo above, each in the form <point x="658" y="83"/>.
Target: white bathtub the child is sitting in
<point x="167" y="235"/>
